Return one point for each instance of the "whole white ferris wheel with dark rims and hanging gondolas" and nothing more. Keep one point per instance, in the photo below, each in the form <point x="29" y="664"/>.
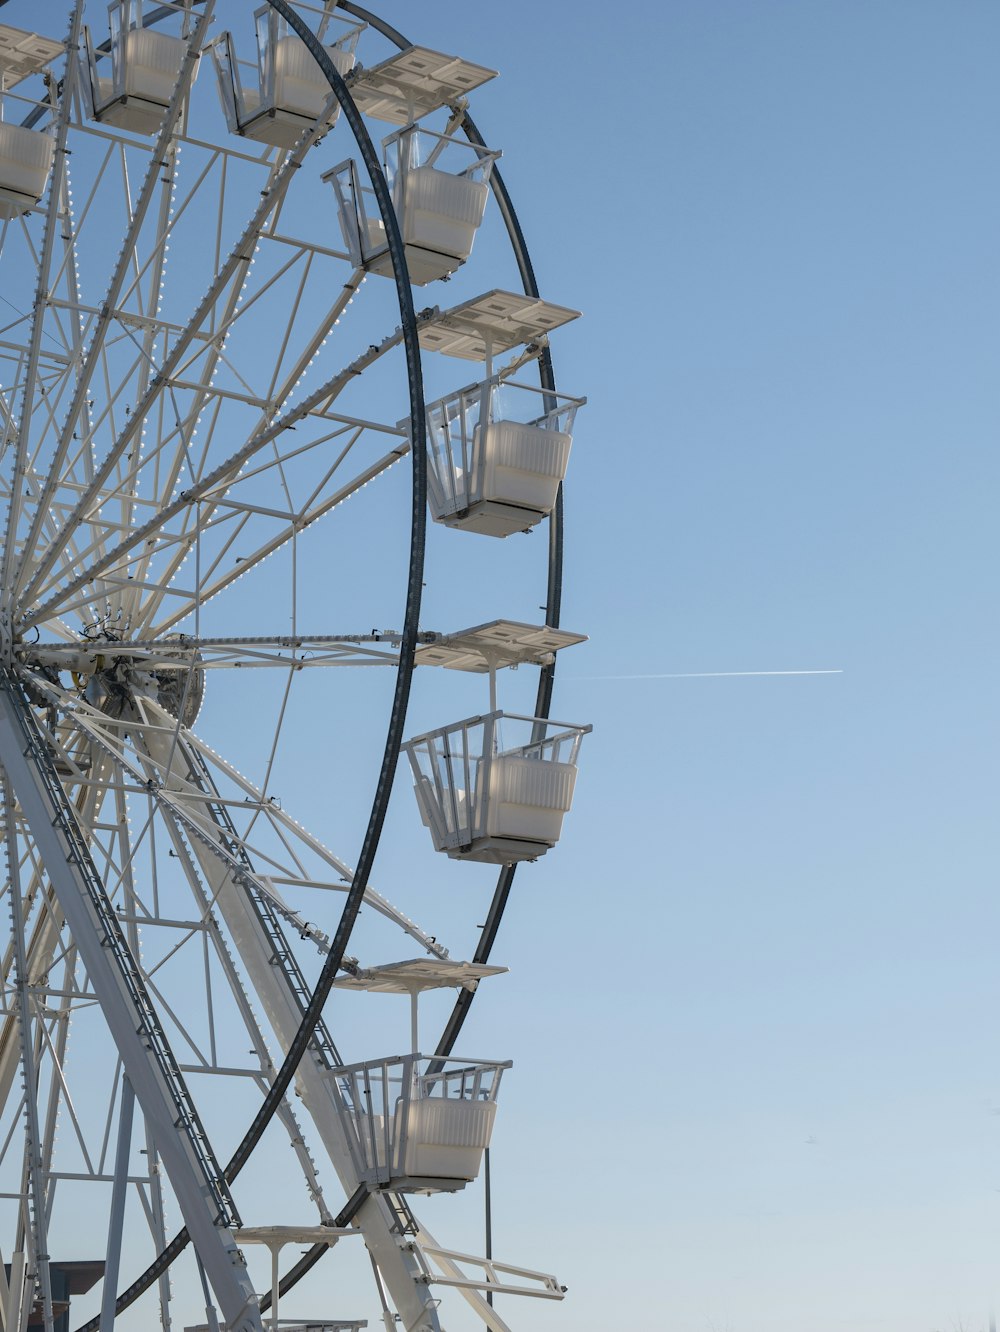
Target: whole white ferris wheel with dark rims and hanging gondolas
<point x="231" y="394"/>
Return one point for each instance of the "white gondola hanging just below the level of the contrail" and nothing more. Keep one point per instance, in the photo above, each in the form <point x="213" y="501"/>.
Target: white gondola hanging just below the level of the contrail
<point x="483" y="800"/>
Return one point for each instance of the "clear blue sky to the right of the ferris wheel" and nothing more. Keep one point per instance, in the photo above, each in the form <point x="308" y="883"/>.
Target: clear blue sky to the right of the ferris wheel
<point x="757" y="1080"/>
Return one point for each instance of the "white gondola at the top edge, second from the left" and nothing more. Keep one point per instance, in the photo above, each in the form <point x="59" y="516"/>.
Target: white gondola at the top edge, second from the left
<point x="131" y="85"/>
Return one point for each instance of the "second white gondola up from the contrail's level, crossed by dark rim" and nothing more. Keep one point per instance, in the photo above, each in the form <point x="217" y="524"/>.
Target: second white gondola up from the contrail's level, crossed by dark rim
<point x="440" y="187"/>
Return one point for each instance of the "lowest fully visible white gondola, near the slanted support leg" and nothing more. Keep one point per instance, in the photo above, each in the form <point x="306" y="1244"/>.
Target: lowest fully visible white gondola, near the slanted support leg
<point x="419" y="1125"/>
